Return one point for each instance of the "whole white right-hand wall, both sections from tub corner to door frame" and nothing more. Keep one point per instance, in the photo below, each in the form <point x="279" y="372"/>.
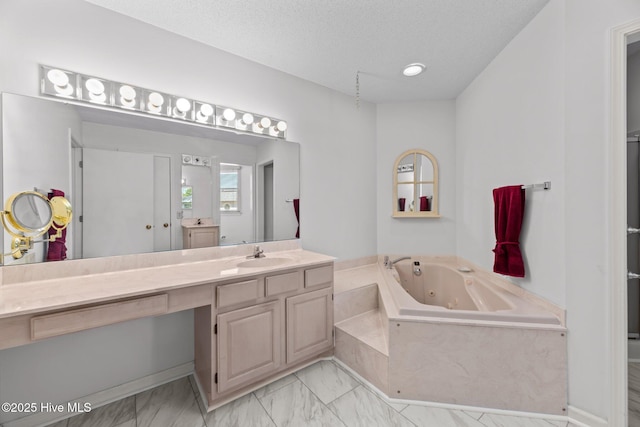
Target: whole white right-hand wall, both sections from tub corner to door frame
<point x="540" y="111"/>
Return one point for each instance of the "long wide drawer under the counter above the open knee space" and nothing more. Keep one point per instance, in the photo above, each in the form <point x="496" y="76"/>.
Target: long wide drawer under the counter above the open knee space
<point x="51" y="325"/>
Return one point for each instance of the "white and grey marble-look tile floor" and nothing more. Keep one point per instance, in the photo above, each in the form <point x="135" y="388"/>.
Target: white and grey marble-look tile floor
<point x="322" y="395"/>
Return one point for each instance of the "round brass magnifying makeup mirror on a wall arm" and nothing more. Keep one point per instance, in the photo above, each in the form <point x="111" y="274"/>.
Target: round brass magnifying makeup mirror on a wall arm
<point x="28" y="215"/>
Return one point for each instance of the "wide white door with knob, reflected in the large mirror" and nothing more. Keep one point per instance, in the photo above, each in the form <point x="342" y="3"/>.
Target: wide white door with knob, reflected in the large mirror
<point x="117" y="203"/>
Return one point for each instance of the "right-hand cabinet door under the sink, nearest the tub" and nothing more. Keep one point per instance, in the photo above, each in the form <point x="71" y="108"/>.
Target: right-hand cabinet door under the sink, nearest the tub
<point x="309" y="324"/>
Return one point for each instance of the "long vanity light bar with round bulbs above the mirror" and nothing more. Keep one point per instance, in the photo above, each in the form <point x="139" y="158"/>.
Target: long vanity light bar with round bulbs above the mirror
<point x="61" y="83"/>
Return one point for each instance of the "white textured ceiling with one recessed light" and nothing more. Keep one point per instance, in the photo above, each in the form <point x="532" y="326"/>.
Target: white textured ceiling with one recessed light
<point x="328" y="41"/>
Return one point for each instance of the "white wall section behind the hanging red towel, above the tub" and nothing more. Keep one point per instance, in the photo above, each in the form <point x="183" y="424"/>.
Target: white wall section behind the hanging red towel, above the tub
<point x="509" y="132"/>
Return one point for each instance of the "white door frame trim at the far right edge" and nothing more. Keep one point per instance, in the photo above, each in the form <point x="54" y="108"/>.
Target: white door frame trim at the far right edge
<point x="617" y="223"/>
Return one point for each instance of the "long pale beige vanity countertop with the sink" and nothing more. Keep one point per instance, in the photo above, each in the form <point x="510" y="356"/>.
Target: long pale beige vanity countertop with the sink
<point x="54" y="294"/>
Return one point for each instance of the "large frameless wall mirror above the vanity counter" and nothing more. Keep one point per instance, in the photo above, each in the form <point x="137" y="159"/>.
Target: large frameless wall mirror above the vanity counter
<point x="135" y="180"/>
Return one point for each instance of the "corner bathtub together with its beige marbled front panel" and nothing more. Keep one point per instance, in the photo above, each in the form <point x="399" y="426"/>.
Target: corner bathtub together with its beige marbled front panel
<point x="471" y="337"/>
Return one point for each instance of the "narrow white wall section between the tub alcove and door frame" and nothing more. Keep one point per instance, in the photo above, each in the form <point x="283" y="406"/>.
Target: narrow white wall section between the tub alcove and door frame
<point x="587" y="172"/>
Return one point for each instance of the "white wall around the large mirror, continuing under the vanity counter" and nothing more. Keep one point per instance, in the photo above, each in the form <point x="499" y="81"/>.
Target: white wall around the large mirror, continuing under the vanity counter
<point x="337" y="148"/>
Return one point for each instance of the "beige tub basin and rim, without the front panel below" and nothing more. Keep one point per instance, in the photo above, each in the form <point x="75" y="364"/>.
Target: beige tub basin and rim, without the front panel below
<point x="447" y="288"/>
